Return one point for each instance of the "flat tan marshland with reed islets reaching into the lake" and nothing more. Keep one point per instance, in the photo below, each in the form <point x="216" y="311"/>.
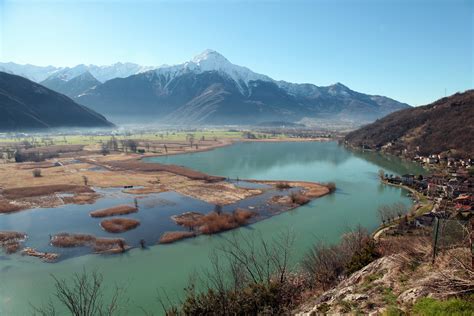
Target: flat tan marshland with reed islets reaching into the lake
<point x="74" y="177"/>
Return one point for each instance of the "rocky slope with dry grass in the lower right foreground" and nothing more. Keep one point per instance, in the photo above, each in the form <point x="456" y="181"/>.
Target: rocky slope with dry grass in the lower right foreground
<point x="395" y="281"/>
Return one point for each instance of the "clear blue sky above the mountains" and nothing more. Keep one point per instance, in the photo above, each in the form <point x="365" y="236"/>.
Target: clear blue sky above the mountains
<point x="410" y="50"/>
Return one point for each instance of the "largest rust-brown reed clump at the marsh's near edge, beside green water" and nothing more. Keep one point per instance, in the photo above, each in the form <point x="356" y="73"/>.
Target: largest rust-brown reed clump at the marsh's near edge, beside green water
<point x="213" y="222"/>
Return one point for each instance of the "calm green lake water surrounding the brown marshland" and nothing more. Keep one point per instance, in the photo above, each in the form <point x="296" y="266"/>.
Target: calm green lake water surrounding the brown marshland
<point x="25" y="280"/>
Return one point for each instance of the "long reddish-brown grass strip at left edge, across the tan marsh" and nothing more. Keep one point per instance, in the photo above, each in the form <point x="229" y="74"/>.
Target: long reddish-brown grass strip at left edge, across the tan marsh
<point x="23" y="192"/>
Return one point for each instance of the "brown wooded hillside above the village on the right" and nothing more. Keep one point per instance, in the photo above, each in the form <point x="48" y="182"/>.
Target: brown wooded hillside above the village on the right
<point x="445" y="125"/>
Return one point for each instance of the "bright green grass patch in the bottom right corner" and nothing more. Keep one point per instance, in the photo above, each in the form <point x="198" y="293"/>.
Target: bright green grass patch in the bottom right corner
<point x="454" y="306"/>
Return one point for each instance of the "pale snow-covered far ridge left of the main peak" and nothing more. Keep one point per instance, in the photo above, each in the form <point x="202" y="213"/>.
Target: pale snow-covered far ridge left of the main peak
<point x="101" y="73"/>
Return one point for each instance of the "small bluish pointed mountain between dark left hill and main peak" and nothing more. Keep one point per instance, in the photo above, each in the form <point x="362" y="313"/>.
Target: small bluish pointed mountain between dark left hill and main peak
<point x="73" y="87"/>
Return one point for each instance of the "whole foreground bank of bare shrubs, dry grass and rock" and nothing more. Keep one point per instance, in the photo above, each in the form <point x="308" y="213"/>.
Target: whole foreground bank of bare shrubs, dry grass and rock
<point x="251" y="276"/>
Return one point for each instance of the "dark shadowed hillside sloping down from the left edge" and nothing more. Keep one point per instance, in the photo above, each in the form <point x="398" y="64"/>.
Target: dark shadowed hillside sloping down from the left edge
<point x="28" y="105"/>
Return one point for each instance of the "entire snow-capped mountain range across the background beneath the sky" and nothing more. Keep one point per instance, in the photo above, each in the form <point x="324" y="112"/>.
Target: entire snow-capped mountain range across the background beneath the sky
<point x="208" y="89"/>
